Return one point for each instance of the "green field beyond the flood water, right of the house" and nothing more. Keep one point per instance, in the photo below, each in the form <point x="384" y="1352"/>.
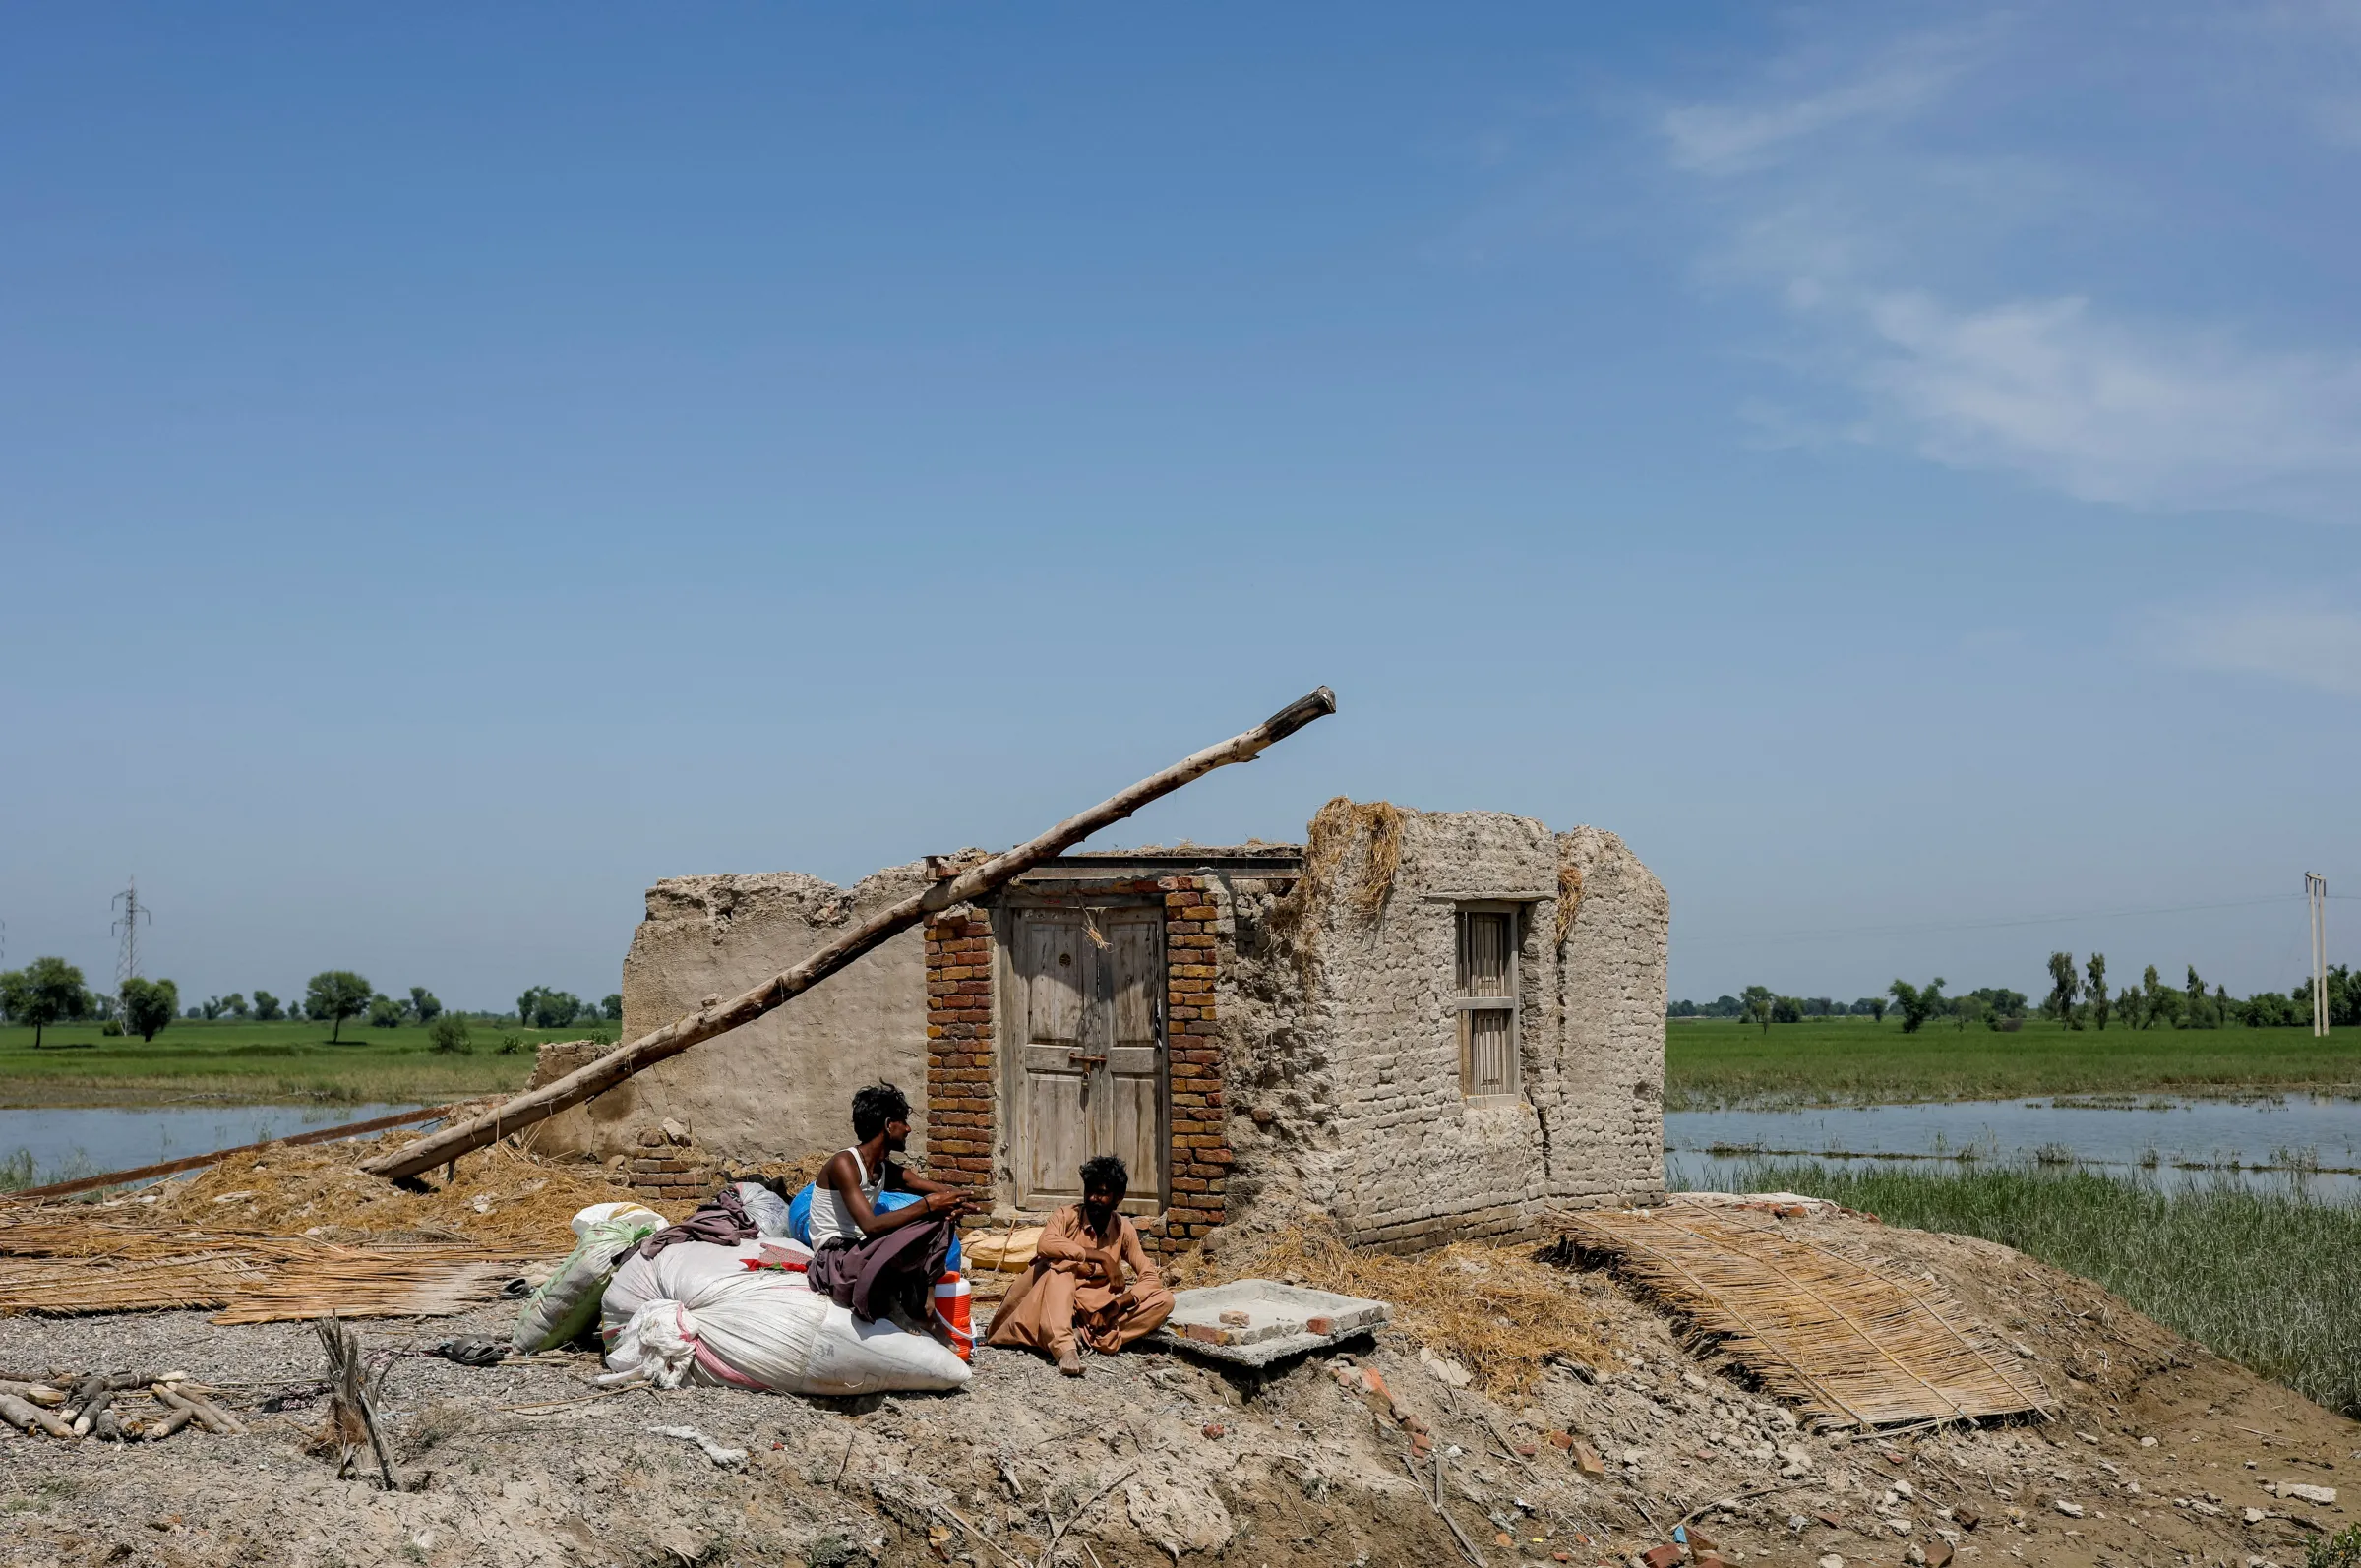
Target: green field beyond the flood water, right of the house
<point x="1852" y="1061"/>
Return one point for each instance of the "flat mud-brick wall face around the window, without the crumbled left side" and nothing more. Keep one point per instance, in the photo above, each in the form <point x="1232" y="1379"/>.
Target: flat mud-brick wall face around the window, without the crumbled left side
<point x="1411" y="1158"/>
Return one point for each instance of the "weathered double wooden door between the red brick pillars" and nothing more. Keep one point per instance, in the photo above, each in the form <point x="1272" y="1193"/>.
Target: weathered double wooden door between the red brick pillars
<point x="1087" y="991"/>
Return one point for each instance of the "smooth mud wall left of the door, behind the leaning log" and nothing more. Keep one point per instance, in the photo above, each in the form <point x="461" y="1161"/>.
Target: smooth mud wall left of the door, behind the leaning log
<point x="780" y="1087"/>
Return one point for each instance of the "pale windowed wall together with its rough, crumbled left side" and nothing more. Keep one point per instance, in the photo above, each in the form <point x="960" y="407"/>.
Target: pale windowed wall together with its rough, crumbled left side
<point x="1347" y="1083"/>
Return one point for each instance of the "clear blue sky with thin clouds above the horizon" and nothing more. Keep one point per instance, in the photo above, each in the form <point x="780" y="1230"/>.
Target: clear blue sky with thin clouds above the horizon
<point x="462" y="464"/>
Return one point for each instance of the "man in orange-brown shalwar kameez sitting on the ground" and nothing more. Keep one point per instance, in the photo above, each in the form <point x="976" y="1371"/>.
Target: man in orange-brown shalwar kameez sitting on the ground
<point x="1075" y="1288"/>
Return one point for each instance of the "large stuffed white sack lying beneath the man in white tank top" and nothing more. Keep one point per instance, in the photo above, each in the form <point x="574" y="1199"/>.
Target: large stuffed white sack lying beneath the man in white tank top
<point x="766" y="1331"/>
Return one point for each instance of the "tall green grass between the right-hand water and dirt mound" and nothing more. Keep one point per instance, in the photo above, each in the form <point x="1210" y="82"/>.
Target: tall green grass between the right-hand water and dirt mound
<point x="2263" y="1279"/>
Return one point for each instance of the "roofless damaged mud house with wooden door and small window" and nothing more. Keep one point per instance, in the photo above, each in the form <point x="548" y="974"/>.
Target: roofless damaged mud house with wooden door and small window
<point x="1430" y="1026"/>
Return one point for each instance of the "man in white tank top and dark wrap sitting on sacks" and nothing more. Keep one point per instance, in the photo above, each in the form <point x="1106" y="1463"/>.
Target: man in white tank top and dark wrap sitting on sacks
<point x="863" y="1255"/>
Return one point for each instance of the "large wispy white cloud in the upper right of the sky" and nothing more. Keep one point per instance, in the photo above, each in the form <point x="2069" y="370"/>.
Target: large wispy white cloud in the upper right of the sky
<point x="1843" y="209"/>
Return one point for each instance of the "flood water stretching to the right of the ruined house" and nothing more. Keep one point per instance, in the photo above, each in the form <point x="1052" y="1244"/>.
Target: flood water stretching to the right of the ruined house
<point x="2313" y="1142"/>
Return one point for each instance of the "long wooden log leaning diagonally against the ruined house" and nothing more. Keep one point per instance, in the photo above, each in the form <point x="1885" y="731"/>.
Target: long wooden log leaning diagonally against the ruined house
<point x="672" y="1040"/>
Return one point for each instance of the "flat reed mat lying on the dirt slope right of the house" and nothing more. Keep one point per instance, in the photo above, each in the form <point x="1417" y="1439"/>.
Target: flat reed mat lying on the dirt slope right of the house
<point x="1836" y="1338"/>
